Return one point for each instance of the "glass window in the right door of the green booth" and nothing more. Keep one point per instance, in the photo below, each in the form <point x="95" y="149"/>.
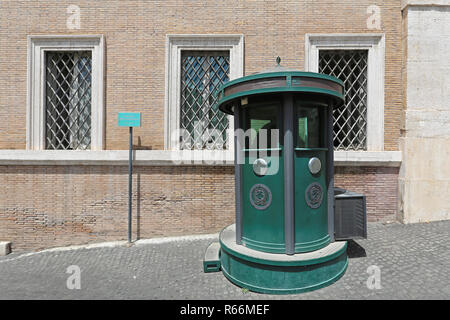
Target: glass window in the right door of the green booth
<point x="310" y="125"/>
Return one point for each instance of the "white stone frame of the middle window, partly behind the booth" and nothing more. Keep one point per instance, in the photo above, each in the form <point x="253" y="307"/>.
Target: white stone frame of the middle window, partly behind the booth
<point x="175" y="43"/>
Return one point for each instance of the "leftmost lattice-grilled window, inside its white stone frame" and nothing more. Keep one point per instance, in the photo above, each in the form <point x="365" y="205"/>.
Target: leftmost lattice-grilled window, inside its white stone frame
<point x="68" y="100"/>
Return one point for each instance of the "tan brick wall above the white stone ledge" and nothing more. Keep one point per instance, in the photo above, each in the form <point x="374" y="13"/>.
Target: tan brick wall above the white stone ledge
<point x="135" y="34"/>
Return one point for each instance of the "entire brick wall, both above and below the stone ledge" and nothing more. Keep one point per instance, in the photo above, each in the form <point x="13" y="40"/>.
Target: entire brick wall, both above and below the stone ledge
<point x="46" y="206"/>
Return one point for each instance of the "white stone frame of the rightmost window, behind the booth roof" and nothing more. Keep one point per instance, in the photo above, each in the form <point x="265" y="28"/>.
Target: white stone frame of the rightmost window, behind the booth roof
<point x="375" y="44"/>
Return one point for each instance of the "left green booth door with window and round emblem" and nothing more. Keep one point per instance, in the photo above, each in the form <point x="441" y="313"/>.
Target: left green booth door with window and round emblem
<point x="262" y="176"/>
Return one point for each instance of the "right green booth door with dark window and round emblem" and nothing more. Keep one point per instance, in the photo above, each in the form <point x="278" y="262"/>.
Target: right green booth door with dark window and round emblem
<point x="311" y="209"/>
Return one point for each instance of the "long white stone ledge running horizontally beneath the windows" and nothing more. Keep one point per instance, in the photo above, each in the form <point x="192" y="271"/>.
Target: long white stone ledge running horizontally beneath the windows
<point x="174" y="158"/>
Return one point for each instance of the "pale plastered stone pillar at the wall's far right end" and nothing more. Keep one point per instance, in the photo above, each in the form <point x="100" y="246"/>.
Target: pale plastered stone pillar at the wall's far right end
<point x="425" y="173"/>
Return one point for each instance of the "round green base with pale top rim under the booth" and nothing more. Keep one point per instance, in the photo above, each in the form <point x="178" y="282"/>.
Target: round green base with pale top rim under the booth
<point x="280" y="273"/>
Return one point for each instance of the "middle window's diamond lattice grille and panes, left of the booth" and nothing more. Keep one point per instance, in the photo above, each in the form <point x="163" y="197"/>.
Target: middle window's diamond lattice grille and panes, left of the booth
<point x="203" y="125"/>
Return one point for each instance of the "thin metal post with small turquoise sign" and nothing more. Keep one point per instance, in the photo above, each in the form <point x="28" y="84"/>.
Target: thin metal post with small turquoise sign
<point x="127" y="119"/>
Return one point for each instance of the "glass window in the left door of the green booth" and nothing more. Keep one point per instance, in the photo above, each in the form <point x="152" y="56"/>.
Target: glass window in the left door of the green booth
<point x="262" y="118"/>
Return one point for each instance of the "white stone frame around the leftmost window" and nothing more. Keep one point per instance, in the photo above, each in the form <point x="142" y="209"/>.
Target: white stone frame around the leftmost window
<point x="37" y="46"/>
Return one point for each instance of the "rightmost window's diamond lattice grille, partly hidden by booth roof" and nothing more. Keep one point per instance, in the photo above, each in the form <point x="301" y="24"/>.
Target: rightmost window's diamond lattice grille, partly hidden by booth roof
<point x="350" y="121"/>
